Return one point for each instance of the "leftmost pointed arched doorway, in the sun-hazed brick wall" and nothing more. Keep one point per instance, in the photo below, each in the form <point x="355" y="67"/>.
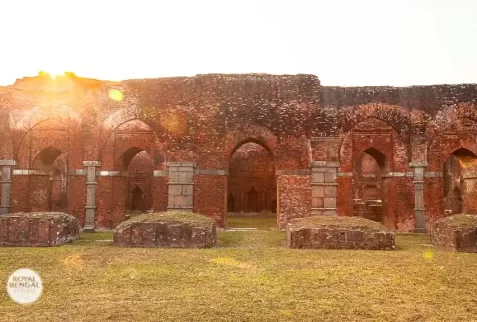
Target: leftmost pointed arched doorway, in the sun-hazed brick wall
<point x="48" y="181"/>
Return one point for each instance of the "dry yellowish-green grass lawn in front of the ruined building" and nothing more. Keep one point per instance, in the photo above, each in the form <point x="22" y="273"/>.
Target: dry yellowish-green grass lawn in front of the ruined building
<point x="249" y="276"/>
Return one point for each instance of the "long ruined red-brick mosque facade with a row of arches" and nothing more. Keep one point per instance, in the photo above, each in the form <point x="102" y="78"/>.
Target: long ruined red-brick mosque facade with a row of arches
<point x="218" y="144"/>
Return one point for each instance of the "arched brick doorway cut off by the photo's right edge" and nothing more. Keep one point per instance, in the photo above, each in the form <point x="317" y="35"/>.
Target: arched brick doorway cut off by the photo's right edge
<point x="458" y="180"/>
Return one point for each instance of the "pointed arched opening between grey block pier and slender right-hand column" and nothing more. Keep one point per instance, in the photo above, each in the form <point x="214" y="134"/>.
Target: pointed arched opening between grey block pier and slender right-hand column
<point x="368" y="188"/>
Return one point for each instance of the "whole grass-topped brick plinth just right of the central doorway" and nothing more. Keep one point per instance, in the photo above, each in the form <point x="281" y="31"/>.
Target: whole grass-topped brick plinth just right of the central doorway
<point x="331" y="232"/>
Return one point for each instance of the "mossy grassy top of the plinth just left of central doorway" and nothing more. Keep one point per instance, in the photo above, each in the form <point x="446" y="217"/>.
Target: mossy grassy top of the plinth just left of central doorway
<point x="170" y="217"/>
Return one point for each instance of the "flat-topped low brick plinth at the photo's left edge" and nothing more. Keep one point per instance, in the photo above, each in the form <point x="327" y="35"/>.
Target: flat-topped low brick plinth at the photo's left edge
<point x="38" y="229"/>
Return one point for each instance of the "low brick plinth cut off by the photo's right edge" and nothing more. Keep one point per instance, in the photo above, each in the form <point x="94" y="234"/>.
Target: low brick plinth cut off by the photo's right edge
<point x="456" y="233"/>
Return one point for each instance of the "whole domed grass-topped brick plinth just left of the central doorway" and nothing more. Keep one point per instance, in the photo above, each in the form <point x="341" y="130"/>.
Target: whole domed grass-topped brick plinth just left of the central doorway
<point x="170" y="229"/>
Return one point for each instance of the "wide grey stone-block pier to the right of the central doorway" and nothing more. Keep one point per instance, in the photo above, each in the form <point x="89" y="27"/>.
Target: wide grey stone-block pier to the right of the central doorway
<point x="323" y="187"/>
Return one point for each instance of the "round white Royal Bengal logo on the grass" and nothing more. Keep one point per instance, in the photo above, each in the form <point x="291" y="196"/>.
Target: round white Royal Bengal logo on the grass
<point x="24" y="286"/>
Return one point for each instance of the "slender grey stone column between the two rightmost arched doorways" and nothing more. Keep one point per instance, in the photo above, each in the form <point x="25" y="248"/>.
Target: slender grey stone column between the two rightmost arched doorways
<point x="419" y="211"/>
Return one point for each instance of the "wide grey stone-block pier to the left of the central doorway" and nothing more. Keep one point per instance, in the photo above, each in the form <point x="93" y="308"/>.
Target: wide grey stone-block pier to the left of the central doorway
<point x="181" y="186"/>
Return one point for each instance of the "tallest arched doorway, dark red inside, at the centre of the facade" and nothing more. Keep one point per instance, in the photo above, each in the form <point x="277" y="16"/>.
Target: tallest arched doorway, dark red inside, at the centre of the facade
<point x="252" y="186"/>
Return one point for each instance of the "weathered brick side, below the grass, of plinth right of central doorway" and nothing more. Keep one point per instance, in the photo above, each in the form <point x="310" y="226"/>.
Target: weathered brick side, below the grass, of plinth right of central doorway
<point x="339" y="237"/>
